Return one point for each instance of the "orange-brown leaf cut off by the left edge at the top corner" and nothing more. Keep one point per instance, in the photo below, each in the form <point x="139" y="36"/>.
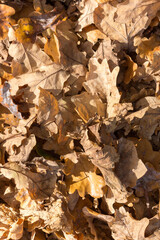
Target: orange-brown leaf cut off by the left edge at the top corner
<point x="5" y="21"/>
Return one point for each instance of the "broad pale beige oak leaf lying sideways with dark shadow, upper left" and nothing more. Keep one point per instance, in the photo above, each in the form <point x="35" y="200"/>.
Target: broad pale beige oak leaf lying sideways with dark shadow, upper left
<point x="50" y="77"/>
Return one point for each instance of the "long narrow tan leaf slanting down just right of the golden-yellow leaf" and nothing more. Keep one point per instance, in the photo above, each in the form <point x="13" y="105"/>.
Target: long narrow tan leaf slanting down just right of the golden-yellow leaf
<point x="105" y="159"/>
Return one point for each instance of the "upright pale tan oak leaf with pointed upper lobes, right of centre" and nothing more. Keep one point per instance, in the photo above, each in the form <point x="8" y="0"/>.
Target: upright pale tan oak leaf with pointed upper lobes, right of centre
<point x="102" y="82"/>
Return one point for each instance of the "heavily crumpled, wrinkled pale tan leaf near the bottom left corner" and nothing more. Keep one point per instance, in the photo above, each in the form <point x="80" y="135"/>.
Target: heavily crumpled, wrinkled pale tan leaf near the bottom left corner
<point x="54" y="217"/>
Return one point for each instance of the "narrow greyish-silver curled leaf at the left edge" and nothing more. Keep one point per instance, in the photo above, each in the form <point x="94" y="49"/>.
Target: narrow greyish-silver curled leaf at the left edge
<point x="6" y="100"/>
